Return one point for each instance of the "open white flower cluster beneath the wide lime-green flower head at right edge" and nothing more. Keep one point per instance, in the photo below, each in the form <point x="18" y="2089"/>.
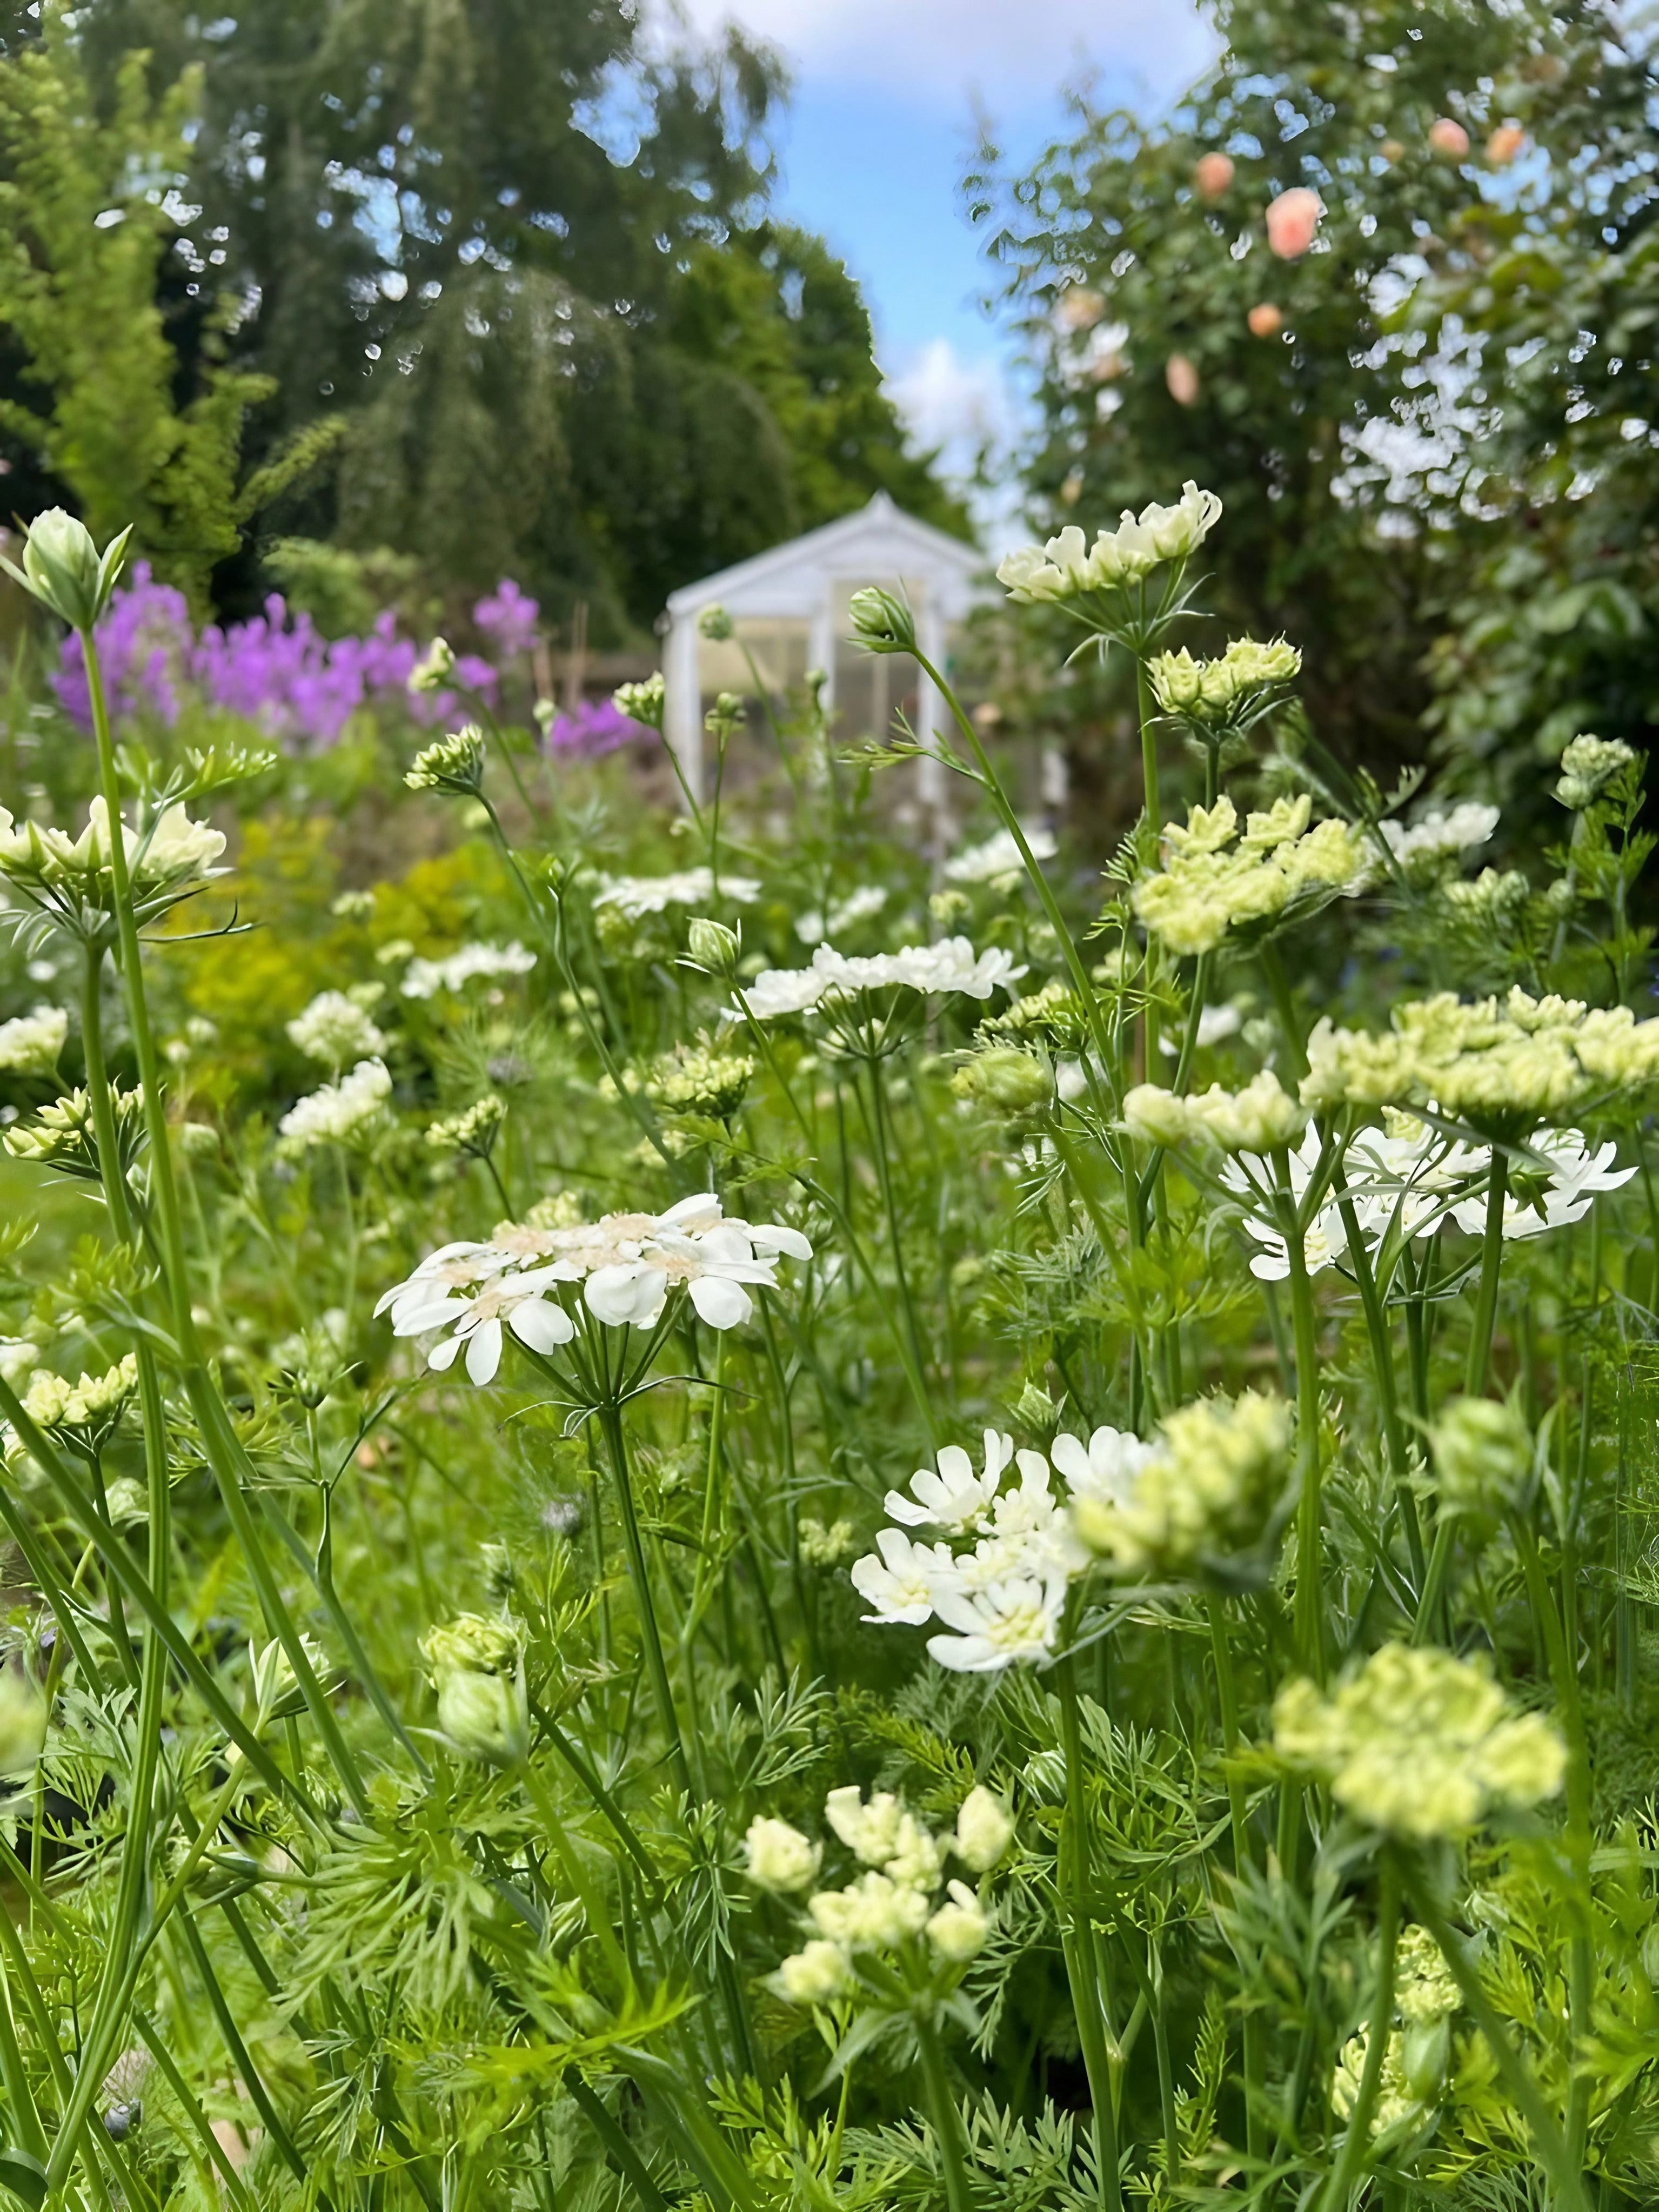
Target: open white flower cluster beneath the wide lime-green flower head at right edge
<point x="1415" y="1176"/>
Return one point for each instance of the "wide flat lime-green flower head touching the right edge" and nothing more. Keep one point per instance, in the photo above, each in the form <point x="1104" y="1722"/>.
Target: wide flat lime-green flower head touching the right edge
<point x="1494" y="1063"/>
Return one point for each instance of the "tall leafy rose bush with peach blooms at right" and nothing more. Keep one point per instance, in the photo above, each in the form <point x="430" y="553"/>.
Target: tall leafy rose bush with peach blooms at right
<point x="1406" y="417"/>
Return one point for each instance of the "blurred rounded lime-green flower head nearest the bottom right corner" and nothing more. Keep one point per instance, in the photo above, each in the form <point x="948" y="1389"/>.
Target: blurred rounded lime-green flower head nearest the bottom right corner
<point x="1419" y="1744"/>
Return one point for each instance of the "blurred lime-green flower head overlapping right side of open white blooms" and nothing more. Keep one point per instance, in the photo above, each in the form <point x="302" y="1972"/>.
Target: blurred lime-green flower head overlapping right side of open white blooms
<point x="1207" y="1494"/>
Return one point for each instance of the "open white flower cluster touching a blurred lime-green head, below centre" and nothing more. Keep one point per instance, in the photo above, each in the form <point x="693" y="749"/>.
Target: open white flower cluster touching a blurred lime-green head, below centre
<point x="1001" y="1596"/>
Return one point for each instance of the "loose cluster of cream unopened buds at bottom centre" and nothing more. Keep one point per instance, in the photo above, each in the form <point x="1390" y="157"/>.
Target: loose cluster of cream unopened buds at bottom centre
<point x="890" y="1906"/>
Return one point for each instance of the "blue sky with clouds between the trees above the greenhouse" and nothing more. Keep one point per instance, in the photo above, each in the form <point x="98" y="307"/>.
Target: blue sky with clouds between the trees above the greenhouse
<point x="877" y="140"/>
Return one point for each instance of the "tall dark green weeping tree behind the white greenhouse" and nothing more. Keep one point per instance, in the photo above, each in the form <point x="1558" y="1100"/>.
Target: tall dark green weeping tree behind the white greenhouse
<point x="528" y="255"/>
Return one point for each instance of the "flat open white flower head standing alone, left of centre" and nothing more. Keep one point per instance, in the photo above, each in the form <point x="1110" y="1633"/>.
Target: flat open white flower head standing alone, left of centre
<point x="627" y="1264"/>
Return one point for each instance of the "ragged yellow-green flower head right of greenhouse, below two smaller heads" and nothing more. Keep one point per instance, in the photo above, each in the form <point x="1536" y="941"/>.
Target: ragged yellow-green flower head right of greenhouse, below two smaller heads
<point x="1215" y="881"/>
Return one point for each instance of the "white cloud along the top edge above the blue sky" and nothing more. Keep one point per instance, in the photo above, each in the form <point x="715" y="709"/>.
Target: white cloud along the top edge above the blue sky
<point x="935" y="52"/>
